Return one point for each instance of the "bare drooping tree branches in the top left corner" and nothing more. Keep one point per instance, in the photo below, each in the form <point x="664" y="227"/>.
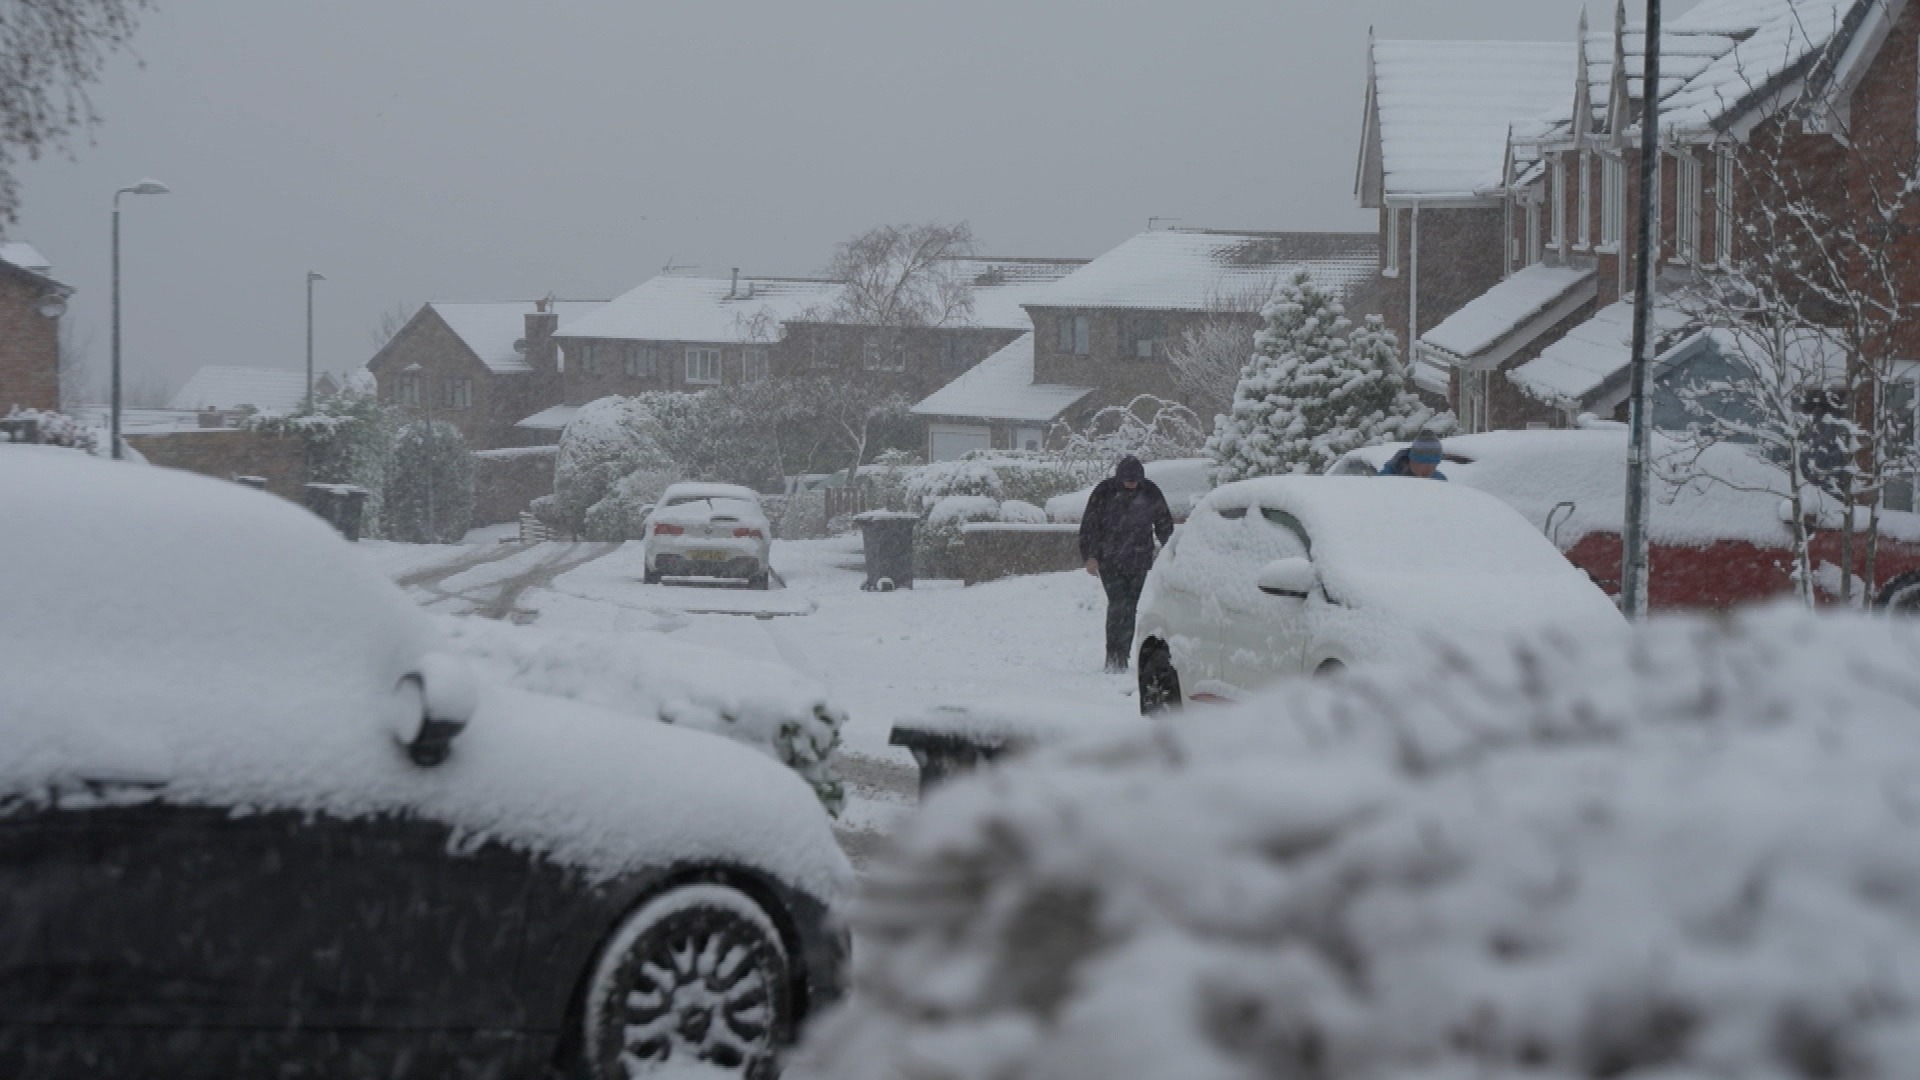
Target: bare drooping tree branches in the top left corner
<point x="51" y="53"/>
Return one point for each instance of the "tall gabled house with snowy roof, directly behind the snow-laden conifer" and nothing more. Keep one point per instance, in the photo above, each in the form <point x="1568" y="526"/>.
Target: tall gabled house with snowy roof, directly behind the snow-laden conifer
<point x="1433" y="147"/>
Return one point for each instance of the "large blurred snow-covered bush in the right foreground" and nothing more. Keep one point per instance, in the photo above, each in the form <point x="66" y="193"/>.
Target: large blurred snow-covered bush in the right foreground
<point x="1691" y="850"/>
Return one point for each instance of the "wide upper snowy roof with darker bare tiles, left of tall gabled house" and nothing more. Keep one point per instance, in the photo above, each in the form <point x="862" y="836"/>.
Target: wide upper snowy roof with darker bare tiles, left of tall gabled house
<point x="1197" y="270"/>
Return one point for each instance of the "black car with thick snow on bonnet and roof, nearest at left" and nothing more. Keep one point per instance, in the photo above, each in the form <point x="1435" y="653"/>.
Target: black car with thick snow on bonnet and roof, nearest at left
<point x="254" y="820"/>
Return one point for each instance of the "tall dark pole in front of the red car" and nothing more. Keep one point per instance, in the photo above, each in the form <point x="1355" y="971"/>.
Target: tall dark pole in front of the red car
<point x="1641" y="426"/>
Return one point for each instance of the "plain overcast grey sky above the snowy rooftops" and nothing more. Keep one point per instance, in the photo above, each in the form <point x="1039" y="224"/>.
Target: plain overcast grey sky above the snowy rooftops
<point x="506" y="149"/>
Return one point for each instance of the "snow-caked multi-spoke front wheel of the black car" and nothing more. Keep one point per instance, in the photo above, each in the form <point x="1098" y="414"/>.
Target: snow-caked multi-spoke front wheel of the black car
<point x="694" y="977"/>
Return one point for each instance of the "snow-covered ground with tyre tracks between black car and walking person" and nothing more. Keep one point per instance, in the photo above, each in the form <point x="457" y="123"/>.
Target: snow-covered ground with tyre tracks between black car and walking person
<point x="880" y="656"/>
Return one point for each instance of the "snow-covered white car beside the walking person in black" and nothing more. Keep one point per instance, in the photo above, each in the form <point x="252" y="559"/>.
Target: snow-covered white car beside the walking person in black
<point x="1305" y="576"/>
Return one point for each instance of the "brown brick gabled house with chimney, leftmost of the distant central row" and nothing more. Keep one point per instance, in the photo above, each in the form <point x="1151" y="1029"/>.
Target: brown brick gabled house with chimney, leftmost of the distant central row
<point x="483" y="368"/>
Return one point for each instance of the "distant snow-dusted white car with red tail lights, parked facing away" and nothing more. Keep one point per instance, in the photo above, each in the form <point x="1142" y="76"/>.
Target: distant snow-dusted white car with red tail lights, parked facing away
<point x="709" y="531"/>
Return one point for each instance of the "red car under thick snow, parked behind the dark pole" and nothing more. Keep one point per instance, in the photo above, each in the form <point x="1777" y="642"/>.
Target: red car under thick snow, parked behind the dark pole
<point x="1716" y="543"/>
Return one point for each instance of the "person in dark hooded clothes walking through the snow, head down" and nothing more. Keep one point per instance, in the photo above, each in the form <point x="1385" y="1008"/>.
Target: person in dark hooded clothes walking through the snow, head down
<point x="1124" y="526"/>
